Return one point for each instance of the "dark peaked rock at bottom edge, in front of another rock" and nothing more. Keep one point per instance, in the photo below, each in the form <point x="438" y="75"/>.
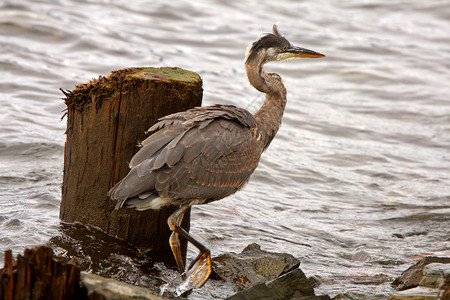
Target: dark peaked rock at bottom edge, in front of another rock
<point x="292" y="285"/>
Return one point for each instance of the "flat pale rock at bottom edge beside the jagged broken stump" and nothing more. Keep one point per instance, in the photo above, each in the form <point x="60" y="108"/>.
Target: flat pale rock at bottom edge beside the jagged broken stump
<point x="101" y="288"/>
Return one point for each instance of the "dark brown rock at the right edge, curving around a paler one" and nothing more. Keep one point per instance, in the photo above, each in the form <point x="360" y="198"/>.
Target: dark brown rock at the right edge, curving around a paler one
<point x="412" y="277"/>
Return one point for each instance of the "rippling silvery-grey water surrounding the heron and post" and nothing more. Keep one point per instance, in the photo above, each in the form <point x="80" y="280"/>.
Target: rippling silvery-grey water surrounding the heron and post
<point x="356" y="183"/>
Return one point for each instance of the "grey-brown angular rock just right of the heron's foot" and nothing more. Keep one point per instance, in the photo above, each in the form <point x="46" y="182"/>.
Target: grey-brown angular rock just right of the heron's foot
<point x="253" y="266"/>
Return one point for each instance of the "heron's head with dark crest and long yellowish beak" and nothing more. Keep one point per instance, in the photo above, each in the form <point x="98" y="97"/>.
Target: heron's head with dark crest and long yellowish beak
<point x="275" y="47"/>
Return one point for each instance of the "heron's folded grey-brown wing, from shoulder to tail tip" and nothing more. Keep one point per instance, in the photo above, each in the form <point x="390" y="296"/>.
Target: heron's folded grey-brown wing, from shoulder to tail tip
<point x="203" y="153"/>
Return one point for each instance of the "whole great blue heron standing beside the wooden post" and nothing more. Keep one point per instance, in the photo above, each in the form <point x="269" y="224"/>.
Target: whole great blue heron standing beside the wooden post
<point x="207" y="153"/>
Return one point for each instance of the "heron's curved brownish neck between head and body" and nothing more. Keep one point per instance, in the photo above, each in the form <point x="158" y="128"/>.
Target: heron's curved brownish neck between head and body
<point x="268" y="117"/>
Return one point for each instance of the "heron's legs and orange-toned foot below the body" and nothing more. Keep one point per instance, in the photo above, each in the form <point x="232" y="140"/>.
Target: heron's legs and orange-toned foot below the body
<point x="202" y="262"/>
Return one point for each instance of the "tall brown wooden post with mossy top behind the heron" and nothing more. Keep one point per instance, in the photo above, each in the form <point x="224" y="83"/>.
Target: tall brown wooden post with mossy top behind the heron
<point x="106" y="118"/>
